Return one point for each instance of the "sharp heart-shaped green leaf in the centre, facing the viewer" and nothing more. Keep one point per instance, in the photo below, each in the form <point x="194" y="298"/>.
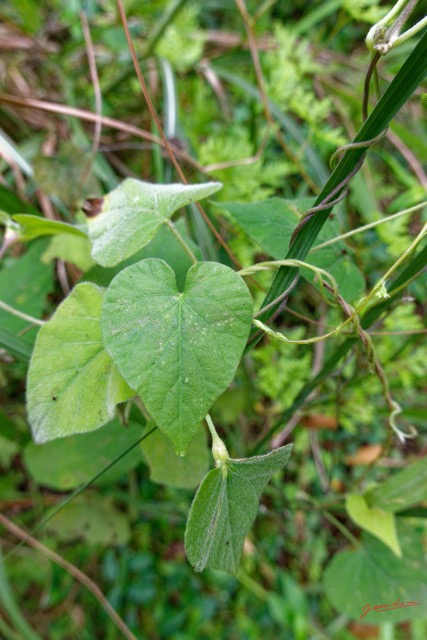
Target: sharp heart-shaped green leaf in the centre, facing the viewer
<point x="179" y="351"/>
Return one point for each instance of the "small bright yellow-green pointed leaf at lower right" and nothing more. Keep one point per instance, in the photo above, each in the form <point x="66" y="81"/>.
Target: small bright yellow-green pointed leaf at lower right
<point x="379" y="523"/>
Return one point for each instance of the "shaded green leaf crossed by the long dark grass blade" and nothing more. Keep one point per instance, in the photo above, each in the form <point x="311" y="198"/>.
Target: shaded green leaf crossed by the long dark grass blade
<point x="270" y="223"/>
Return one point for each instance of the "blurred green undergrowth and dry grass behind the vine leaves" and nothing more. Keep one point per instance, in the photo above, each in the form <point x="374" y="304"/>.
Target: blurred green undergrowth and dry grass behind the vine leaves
<point x="263" y="133"/>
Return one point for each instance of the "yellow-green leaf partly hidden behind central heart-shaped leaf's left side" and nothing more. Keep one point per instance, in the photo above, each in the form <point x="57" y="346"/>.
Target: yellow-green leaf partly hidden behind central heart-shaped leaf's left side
<point x="73" y="385"/>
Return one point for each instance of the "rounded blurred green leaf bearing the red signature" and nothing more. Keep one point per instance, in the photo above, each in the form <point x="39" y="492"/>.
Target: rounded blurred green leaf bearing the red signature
<point x="372" y="574"/>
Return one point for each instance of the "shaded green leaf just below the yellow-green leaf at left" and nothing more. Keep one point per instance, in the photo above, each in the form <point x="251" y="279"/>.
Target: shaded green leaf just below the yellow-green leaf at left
<point x="69" y="462"/>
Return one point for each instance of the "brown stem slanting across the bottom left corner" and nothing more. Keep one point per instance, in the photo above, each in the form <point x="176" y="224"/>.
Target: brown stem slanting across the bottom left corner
<point x="73" y="571"/>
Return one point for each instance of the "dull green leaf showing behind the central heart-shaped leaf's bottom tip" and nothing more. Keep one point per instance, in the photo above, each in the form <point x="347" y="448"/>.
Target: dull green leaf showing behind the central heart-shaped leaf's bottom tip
<point x="176" y="471"/>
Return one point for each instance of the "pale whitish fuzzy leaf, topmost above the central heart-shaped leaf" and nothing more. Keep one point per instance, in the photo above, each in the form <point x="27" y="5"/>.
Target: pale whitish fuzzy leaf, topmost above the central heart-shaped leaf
<point x="132" y="213"/>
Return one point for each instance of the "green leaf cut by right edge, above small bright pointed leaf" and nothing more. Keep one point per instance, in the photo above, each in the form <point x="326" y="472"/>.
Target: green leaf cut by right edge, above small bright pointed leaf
<point x="403" y="489"/>
